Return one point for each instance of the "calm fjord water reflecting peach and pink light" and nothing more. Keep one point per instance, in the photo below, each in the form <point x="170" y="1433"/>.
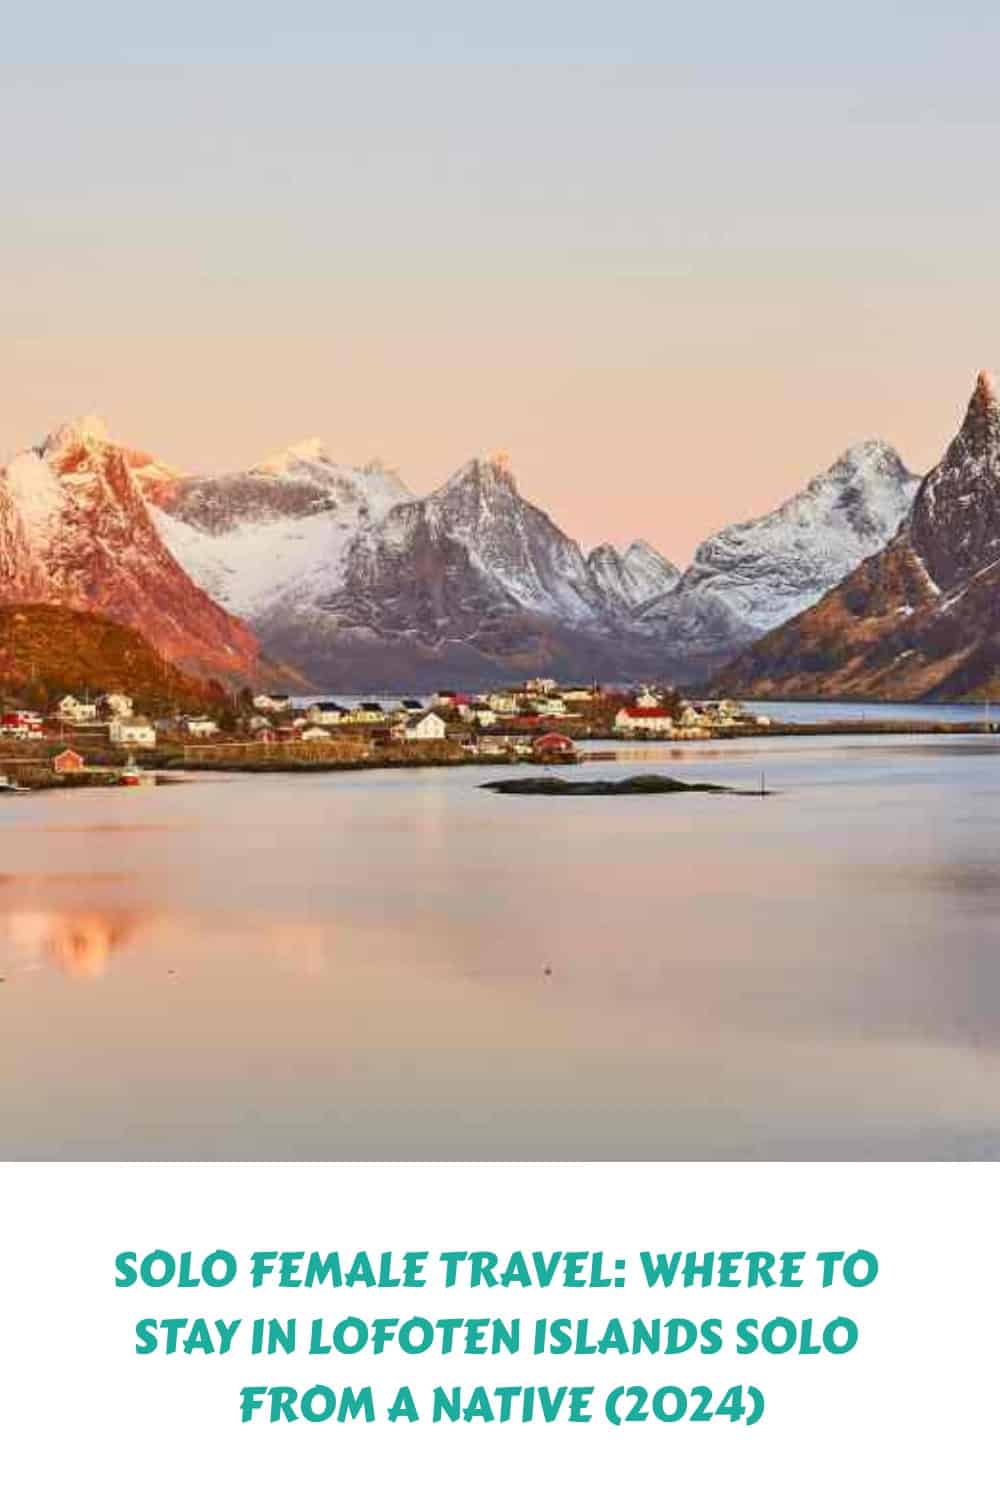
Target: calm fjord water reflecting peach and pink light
<point x="401" y="965"/>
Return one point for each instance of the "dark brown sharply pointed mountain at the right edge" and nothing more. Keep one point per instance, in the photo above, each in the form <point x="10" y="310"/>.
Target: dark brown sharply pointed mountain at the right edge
<point x="923" y="617"/>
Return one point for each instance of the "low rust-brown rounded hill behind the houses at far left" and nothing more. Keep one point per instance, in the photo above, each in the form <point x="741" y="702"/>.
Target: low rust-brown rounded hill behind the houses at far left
<point x="47" y="650"/>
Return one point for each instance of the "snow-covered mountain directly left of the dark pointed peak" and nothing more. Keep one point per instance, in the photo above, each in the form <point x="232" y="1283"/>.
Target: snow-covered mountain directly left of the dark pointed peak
<point x="752" y="577"/>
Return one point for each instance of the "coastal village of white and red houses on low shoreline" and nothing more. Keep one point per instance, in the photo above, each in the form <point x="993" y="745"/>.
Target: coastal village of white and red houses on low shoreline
<point x="104" y="739"/>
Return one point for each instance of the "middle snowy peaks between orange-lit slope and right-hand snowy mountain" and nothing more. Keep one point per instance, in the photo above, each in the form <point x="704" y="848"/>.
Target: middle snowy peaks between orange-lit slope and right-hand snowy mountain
<point x="358" y="581"/>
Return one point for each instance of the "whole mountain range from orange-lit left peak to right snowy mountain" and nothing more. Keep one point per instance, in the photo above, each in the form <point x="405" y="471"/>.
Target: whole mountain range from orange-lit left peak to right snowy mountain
<point x="353" y="581"/>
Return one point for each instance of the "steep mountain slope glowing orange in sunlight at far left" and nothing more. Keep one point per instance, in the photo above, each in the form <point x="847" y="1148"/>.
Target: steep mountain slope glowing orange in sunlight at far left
<point x="76" y="530"/>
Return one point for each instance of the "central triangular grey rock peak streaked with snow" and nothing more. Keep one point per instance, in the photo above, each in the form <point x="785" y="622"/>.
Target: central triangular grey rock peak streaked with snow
<point x="473" y="581"/>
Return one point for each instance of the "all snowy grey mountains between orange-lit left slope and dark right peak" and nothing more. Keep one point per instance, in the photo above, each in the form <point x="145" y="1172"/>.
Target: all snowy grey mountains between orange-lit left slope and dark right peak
<point x="349" y="575"/>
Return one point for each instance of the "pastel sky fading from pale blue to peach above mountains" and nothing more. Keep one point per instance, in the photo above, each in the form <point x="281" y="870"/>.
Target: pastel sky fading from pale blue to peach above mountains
<point x="674" y="259"/>
